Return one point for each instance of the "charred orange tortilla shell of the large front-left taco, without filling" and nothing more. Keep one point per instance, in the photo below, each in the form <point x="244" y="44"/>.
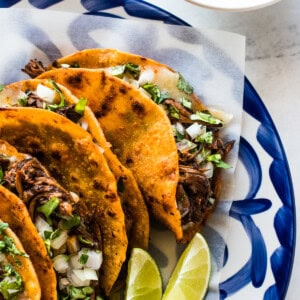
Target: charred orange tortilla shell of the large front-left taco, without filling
<point x="76" y="162"/>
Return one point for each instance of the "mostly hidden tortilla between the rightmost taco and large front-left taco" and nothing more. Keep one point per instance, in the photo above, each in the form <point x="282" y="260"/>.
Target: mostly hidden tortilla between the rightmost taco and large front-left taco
<point x="134" y="207"/>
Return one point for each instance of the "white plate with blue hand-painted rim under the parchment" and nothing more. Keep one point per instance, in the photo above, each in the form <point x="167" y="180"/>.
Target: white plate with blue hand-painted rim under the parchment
<point x="261" y="243"/>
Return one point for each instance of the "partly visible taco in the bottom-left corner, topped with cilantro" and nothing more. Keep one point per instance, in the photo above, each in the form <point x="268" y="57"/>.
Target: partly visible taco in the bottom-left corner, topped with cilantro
<point x="18" y="279"/>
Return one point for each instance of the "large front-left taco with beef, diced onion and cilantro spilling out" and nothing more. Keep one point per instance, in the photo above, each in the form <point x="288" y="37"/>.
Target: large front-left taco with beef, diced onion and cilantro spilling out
<point x="76" y="209"/>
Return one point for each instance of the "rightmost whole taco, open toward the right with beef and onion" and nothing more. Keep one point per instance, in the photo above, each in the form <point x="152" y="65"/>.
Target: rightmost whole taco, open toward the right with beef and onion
<point x="193" y="128"/>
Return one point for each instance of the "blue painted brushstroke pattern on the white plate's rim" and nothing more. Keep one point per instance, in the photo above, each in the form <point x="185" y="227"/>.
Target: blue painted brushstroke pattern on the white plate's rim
<point x="280" y="260"/>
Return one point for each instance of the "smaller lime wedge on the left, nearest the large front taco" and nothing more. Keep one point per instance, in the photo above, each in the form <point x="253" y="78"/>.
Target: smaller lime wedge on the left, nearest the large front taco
<point x="143" y="279"/>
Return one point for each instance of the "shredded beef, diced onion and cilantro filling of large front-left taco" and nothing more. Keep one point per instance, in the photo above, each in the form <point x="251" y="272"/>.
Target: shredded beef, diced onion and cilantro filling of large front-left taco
<point x="75" y="252"/>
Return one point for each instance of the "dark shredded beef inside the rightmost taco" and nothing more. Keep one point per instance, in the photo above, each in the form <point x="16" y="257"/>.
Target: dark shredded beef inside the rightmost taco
<point x="196" y="192"/>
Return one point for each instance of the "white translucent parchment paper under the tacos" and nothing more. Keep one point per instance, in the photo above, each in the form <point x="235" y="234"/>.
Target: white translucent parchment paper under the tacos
<point x="212" y="61"/>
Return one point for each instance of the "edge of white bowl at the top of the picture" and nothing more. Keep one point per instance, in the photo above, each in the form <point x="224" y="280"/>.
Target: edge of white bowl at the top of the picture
<point x="233" y="5"/>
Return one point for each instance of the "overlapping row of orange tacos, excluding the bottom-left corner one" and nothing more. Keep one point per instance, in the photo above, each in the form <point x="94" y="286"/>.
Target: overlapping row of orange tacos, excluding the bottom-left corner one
<point x="99" y="141"/>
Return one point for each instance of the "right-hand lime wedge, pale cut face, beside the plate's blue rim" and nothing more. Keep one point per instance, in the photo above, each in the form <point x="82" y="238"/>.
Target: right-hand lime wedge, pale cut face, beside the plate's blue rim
<point x="191" y="275"/>
